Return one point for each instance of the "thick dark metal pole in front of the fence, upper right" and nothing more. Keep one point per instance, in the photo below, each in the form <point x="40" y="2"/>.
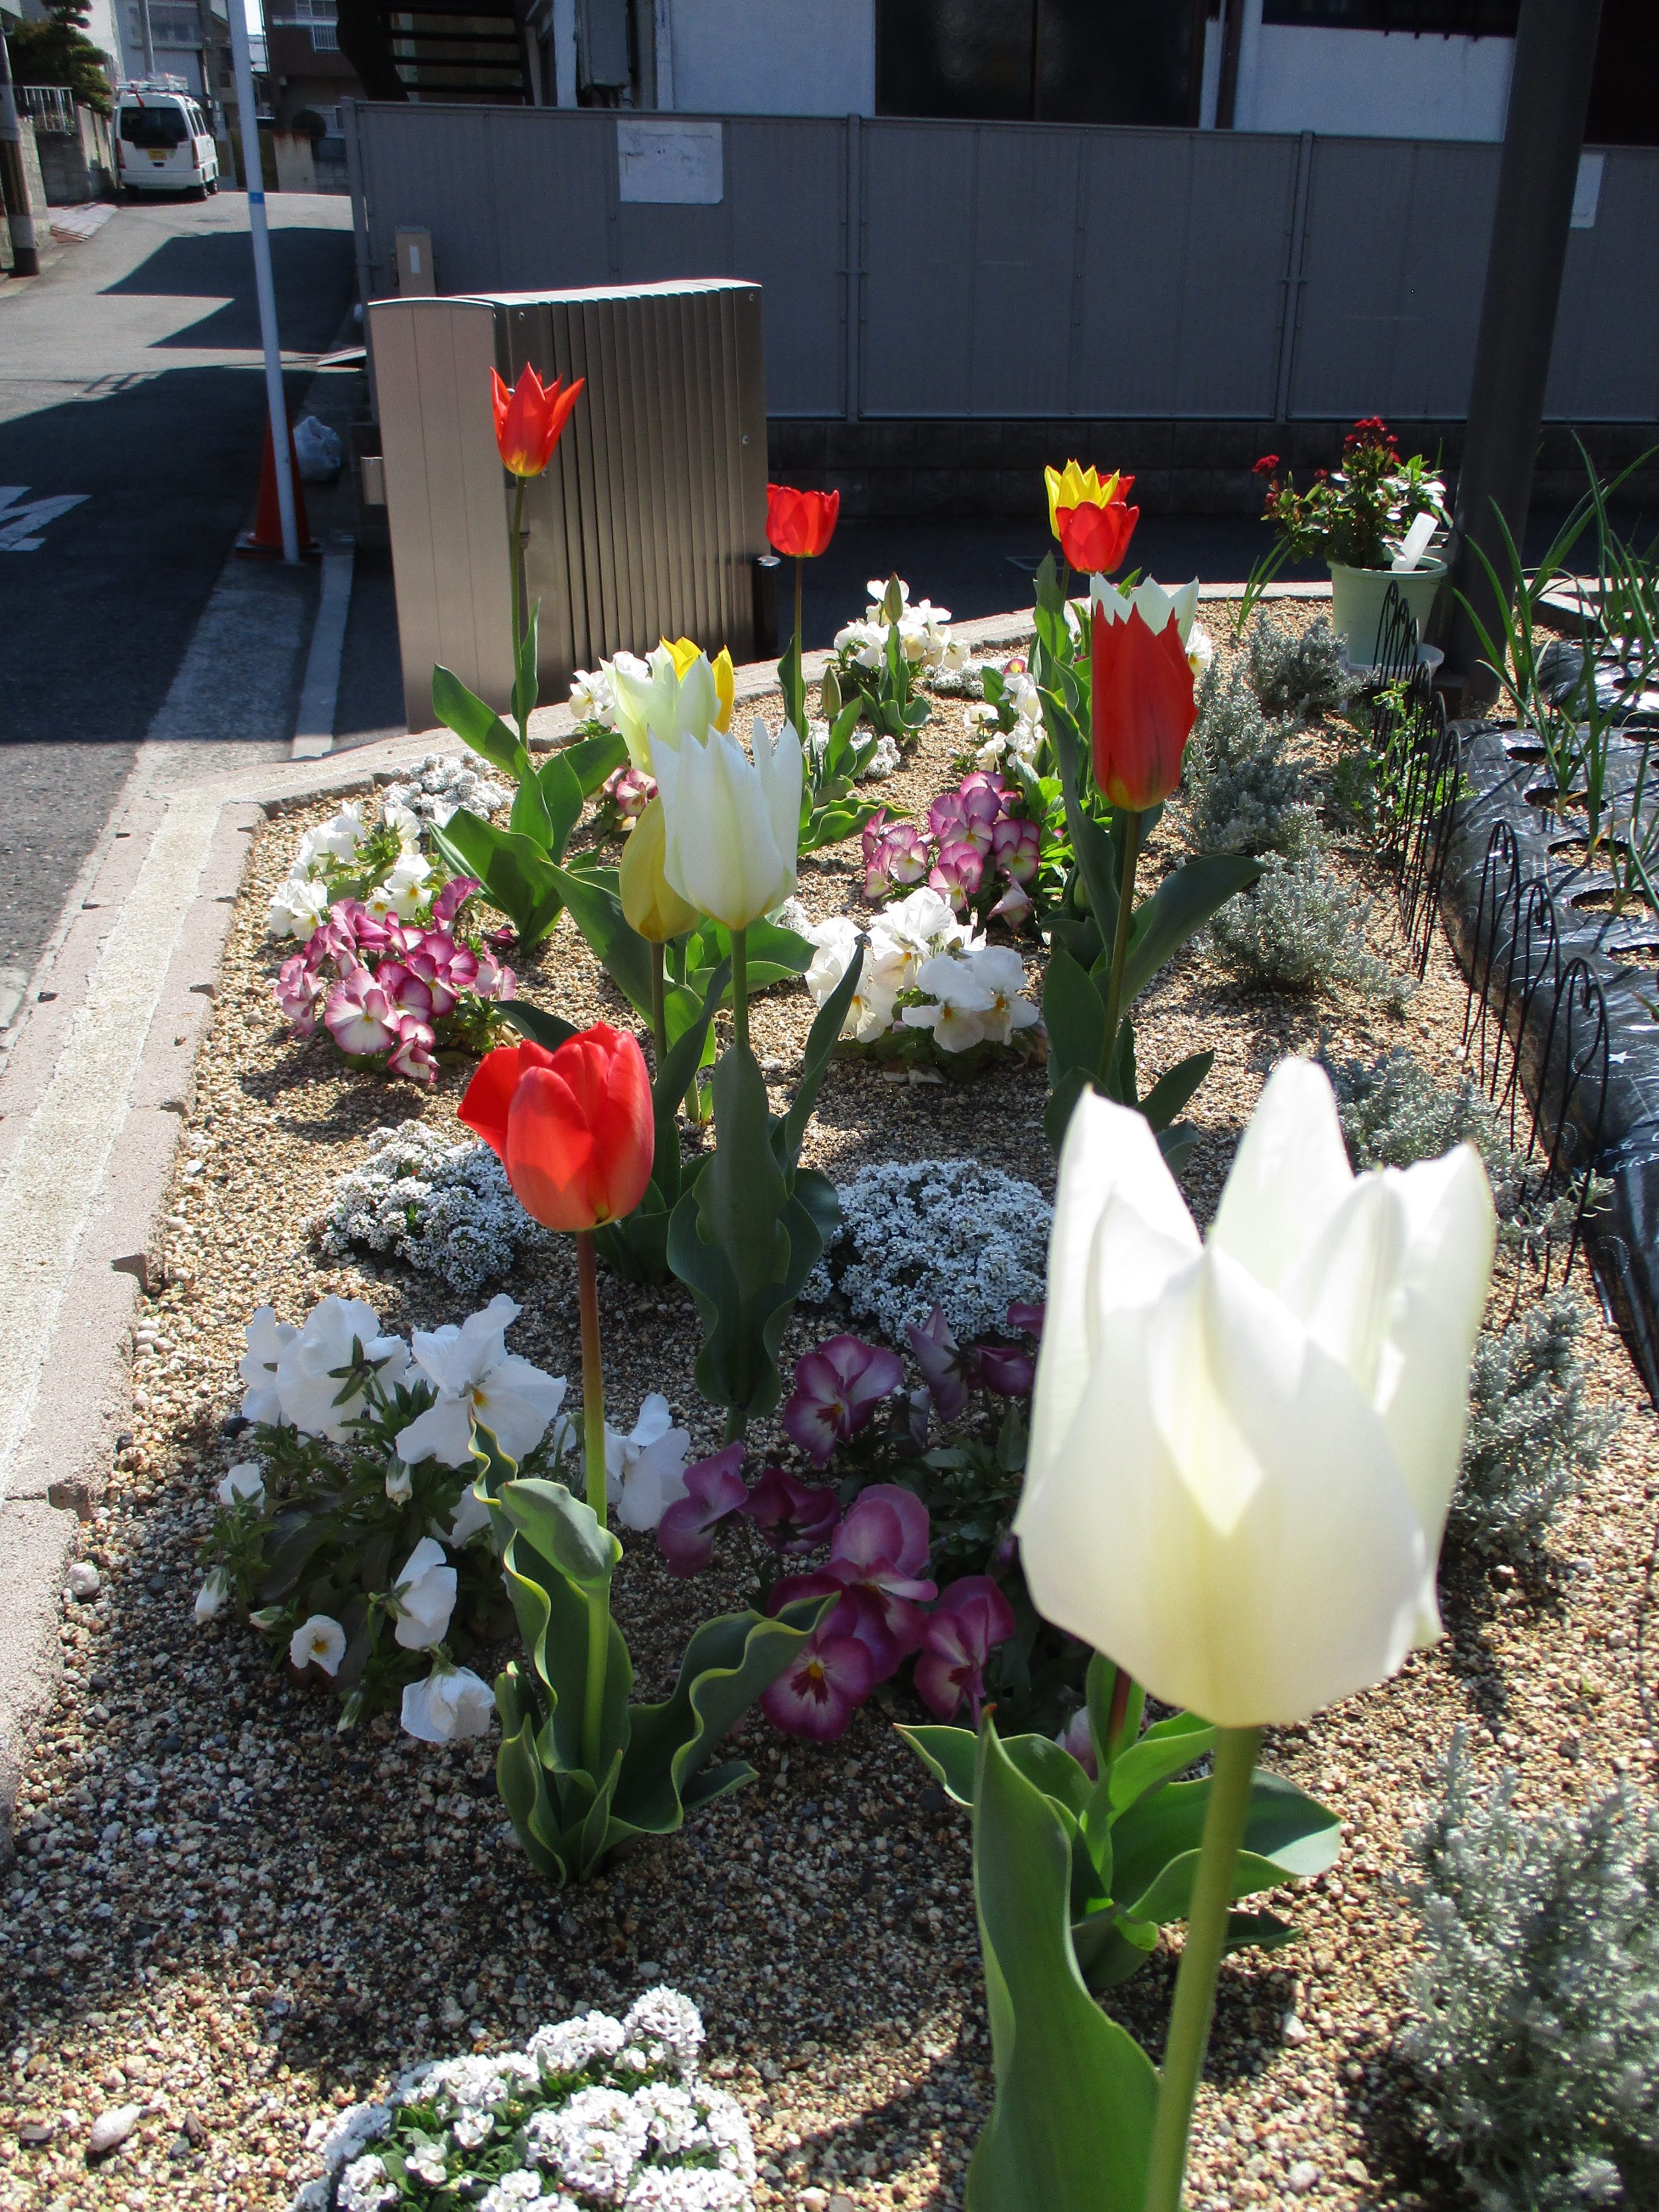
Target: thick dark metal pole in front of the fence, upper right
<point x="1550" y="96"/>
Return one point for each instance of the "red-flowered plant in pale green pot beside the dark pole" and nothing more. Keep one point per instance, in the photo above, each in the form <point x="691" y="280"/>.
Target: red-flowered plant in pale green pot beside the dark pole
<point x="1359" y="519"/>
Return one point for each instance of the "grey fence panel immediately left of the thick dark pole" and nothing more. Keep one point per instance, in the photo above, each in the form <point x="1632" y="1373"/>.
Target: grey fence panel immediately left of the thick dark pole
<point x="1392" y="273"/>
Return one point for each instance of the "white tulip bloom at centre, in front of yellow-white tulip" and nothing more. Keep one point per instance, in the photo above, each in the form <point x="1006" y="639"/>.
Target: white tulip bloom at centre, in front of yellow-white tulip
<point x="731" y="826"/>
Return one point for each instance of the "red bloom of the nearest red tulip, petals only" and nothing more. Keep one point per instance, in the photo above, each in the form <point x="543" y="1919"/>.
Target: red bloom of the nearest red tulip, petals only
<point x="574" y="1127"/>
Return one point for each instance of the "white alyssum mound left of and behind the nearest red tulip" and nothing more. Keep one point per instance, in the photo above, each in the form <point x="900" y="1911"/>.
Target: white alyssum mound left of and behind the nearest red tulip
<point x="444" y="1209"/>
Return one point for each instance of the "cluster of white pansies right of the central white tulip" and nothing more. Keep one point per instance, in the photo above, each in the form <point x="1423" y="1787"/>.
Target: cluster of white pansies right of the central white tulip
<point x="972" y="992"/>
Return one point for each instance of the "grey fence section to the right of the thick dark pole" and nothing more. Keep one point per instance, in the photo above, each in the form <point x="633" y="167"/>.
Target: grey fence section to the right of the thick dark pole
<point x="1607" y="331"/>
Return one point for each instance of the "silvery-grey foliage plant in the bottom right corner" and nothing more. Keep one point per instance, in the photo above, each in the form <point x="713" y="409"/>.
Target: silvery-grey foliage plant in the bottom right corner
<point x="1536" y="2041"/>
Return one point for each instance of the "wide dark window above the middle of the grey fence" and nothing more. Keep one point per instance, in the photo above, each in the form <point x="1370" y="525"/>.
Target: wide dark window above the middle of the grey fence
<point x="1054" y="61"/>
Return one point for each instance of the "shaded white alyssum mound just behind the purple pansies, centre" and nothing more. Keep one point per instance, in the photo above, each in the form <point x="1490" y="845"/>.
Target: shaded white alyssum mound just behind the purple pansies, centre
<point x="930" y="1233"/>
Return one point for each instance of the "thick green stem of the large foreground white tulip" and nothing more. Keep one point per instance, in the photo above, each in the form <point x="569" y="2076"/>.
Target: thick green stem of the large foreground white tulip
<point x="1207" y="1930"/>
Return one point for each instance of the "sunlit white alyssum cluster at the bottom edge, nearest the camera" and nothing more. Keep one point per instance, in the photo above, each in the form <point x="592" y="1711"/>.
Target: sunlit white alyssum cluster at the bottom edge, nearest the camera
<point x="607" y="2114"/>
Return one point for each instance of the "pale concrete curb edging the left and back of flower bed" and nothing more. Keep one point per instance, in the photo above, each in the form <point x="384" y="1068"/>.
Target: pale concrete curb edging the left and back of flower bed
<point x="94" y="1087"/>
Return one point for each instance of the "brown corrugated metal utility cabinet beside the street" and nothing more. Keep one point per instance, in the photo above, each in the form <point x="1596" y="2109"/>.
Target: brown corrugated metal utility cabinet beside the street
<point x="647" y="523"/>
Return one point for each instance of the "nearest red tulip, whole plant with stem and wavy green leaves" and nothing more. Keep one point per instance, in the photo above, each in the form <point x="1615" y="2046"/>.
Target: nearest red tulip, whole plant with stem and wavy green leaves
<point x="583" y="1771"/>
